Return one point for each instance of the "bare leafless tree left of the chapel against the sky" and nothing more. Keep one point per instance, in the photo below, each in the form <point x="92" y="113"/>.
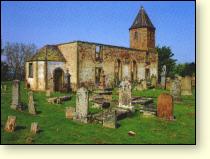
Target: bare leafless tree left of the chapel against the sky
<point x="17" y="54"/>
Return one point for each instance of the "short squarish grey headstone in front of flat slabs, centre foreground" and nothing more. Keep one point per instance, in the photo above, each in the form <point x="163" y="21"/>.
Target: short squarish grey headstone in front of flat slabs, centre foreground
<point x="110" y="119"/>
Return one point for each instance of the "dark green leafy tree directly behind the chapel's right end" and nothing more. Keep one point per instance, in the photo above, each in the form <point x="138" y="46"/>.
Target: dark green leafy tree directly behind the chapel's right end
<point x="165" y="58"/>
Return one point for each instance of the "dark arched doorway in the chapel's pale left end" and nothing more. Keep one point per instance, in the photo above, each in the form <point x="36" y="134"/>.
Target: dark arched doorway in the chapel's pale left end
<point x="58" y="79"/>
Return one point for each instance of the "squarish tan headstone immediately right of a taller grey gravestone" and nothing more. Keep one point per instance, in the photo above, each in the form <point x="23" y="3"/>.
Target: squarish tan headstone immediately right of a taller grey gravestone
<point x="186" y="86"/>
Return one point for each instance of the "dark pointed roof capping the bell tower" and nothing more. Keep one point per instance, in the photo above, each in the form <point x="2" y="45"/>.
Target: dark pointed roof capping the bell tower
<point x="142" y="20"/>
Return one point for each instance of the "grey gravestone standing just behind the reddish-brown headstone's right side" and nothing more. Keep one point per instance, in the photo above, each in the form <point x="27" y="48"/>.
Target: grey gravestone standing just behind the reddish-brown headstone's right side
<point x="176" y="89"/>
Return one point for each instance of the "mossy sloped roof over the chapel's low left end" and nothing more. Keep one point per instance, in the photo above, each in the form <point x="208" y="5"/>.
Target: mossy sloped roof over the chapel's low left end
<point x="50" y="53"/>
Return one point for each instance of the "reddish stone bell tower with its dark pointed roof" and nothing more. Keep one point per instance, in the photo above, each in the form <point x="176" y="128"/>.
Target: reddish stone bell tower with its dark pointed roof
<point x="142" y="32"/>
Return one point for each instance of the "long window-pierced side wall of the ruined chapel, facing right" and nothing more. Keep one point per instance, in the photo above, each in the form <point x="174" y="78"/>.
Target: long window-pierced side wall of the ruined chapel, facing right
<point x="109" y="55"/>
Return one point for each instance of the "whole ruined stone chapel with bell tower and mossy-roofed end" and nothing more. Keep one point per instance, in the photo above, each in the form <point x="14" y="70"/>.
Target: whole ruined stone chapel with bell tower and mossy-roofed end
<point x="86" y="61"/>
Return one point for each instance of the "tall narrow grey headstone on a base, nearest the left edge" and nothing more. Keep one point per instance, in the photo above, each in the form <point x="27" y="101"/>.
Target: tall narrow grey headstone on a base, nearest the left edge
<point x="16" y="95"/>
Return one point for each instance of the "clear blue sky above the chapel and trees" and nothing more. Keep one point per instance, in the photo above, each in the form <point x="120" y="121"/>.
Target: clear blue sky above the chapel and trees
<point x="44" y="23"/>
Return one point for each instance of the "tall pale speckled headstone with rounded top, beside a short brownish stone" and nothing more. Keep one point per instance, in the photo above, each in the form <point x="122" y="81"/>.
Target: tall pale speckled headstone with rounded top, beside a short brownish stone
<point x="82" y="99"/>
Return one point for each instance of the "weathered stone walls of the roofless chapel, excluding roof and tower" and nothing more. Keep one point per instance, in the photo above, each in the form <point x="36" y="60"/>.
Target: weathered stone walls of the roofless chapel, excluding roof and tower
<point x="82" y="63"/>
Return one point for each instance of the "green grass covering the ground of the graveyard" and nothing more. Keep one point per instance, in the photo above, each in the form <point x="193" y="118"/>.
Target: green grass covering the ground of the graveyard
<point x="55" y="129"/>
